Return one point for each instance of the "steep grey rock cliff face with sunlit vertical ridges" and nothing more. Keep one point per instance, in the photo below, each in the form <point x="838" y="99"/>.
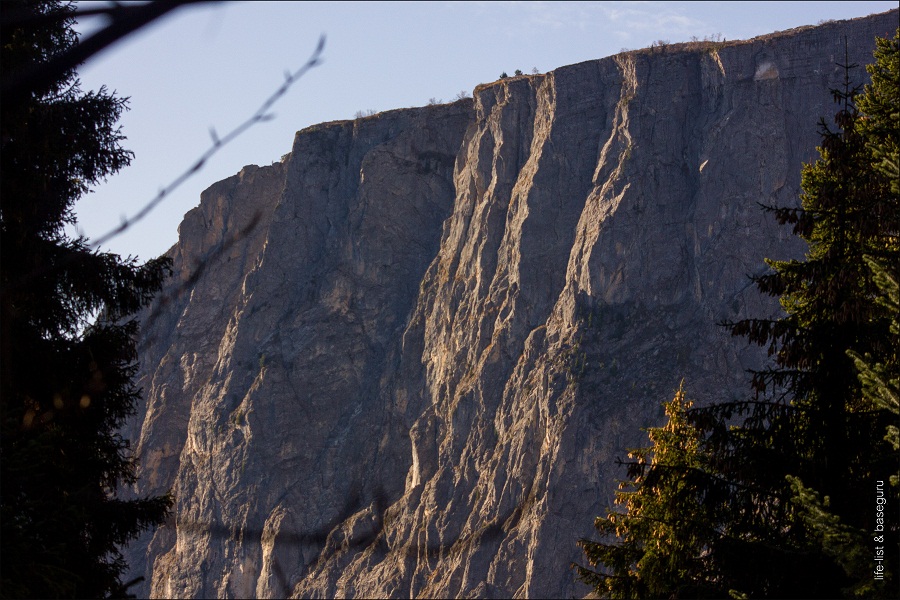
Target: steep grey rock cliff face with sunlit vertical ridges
<point x="403" y="361"/>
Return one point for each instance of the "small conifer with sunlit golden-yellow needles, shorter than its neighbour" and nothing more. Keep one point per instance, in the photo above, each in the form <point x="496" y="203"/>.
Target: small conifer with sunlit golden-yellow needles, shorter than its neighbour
<point x="657" y="538"/>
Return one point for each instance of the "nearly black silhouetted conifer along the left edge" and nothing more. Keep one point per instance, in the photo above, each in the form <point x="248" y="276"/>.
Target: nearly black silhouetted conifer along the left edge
<point x="65" y="372"/>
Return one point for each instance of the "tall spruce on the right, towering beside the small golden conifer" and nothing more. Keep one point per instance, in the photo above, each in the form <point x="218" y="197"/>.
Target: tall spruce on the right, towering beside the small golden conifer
<point x="811" y="432"/>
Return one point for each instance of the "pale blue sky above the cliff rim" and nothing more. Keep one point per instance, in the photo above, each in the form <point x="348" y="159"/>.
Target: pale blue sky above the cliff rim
<point x="213" y="65"/>
